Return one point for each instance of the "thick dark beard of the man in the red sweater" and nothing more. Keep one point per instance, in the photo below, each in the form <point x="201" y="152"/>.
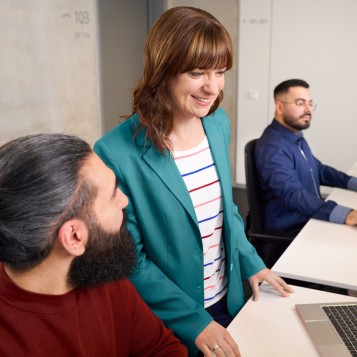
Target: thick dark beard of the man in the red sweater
<point x="108" y="257"/>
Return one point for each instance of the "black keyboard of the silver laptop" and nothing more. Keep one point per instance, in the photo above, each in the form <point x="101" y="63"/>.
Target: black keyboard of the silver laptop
<point x="344" y="319"/>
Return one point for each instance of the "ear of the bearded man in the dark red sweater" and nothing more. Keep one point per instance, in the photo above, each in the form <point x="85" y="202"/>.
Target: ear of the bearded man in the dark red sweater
<point x="73" y="235"/>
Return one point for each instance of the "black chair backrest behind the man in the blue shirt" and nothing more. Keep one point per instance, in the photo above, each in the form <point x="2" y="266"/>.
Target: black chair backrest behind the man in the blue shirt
<point x="253" y="193"/>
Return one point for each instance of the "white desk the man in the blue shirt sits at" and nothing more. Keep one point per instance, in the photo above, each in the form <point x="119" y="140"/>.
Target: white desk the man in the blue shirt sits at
<point x="324" y="252"/>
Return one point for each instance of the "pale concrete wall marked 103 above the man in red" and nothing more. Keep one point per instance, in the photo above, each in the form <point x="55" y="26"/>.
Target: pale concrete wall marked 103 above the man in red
<point x="49" y="68"/>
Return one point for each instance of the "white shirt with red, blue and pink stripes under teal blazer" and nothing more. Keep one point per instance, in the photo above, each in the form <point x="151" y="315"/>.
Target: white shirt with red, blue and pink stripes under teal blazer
<point x="199" y="173"/>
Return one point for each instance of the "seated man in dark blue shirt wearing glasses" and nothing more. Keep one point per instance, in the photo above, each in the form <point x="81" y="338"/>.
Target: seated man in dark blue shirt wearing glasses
<point x="289" y="174"/>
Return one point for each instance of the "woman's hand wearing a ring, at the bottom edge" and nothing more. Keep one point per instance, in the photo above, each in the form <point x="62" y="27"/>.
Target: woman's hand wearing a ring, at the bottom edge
<point x="216" y="339"/>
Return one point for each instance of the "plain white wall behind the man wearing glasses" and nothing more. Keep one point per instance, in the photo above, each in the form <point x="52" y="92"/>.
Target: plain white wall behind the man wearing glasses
<point x="315" y="40"/>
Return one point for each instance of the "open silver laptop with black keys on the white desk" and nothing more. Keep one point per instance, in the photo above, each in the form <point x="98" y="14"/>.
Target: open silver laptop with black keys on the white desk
<point x="332" y="327"/>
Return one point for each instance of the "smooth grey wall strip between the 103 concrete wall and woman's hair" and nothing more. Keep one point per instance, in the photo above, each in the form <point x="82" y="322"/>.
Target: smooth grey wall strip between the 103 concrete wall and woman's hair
<point x="122" y="31"/>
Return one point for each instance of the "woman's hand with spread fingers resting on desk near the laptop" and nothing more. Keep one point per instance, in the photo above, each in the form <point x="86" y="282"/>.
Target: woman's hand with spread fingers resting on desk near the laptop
<point x="275" y="281"/>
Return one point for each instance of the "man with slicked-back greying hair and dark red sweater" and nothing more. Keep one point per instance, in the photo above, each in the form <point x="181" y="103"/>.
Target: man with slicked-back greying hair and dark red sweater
<point x="66" y="255"/>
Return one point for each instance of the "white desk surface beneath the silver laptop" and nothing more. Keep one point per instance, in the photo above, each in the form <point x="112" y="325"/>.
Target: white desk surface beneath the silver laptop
<point x="271" y="327"/>
